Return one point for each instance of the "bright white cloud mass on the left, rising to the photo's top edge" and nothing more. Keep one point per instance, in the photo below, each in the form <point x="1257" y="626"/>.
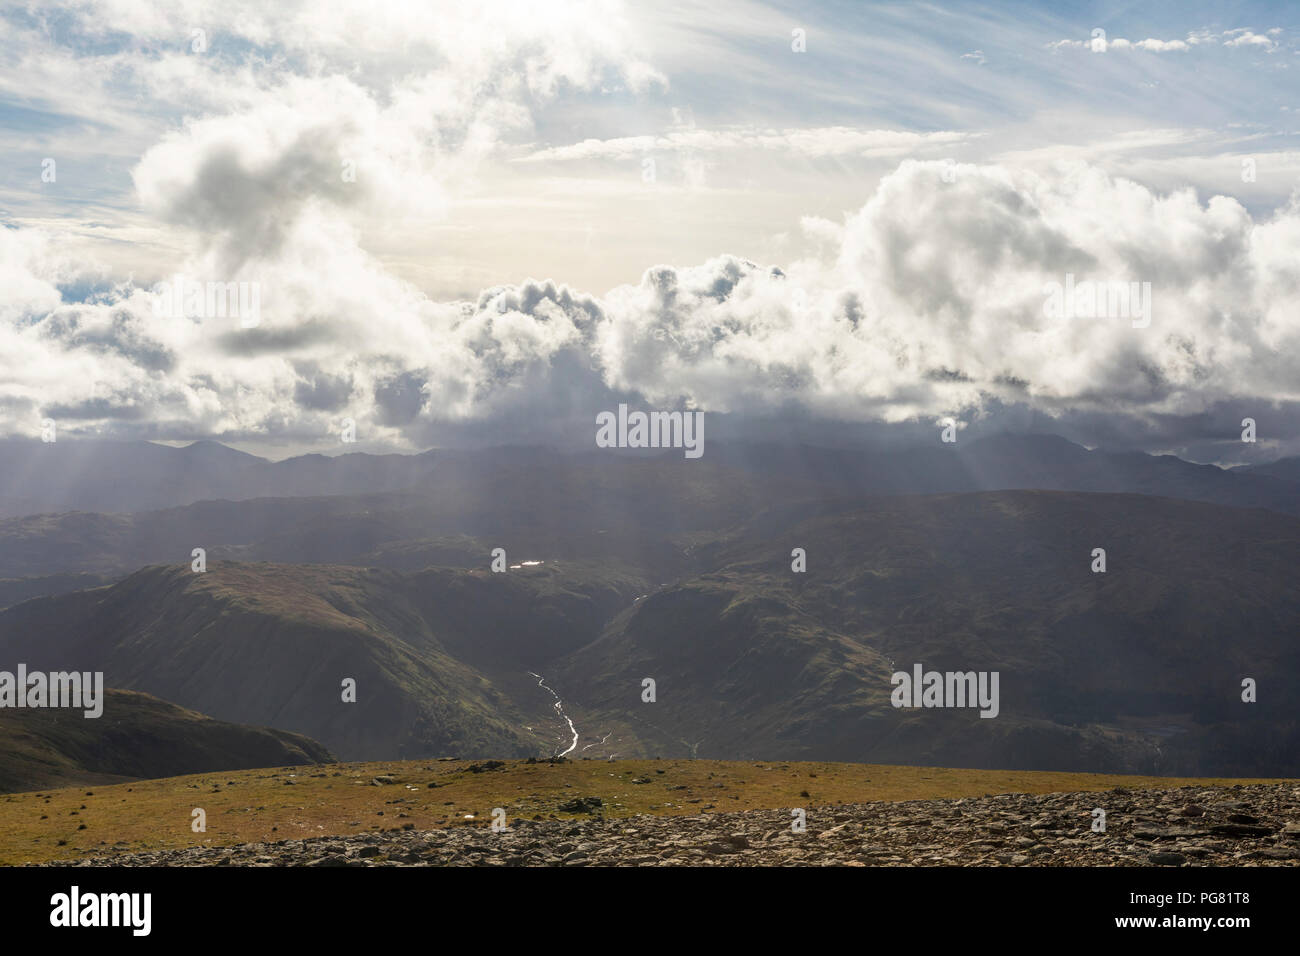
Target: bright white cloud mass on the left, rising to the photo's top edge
<point x="320" y="129"/>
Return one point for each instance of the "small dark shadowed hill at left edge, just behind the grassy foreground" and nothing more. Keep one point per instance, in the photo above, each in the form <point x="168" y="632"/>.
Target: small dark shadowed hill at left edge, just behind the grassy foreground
<point x="138" y="737"/>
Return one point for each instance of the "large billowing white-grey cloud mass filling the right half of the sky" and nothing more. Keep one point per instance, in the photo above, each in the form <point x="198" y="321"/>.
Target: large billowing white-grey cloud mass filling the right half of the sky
<point x="935" y="306"/>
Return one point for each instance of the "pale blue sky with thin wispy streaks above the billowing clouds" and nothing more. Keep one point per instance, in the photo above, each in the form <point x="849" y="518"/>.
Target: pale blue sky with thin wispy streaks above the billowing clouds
<point x="990" y="73"/>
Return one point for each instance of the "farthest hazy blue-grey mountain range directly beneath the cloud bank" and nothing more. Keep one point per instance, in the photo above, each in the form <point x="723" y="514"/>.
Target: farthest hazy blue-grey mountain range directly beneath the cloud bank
<point x="105" y="477"/>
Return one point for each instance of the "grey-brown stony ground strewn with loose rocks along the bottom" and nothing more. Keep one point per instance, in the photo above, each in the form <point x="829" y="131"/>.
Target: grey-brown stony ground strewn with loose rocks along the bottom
<point x="1230" y="827"/>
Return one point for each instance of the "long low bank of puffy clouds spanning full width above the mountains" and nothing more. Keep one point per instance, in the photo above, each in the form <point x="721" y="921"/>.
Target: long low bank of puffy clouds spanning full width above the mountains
<point x="929" y="302"/>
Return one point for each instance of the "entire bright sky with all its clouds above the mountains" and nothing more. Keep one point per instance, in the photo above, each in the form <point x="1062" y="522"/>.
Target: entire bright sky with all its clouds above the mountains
<point x="491" y="222"/>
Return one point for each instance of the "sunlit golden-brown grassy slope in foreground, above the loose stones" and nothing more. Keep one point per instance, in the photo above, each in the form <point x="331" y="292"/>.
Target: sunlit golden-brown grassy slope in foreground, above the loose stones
<point x="263" y="806"/>
